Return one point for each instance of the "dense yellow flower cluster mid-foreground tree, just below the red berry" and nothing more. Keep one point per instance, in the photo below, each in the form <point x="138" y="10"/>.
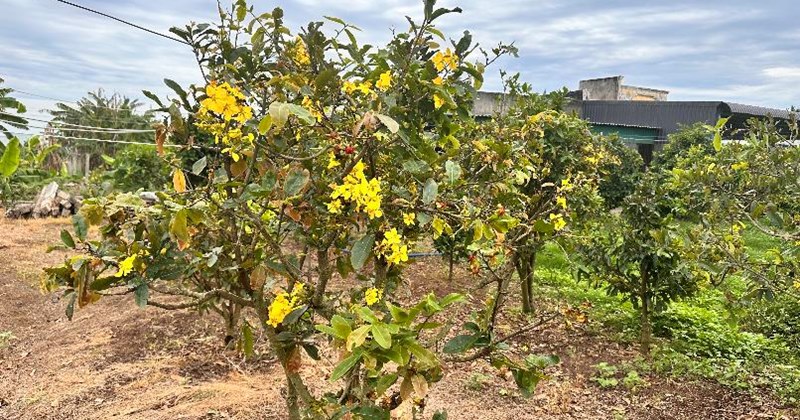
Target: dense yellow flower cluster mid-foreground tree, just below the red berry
<point x="366" y="194"/>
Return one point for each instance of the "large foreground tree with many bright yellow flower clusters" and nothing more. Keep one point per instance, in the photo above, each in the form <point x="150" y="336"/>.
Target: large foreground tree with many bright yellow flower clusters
<point x="304" y="155"/>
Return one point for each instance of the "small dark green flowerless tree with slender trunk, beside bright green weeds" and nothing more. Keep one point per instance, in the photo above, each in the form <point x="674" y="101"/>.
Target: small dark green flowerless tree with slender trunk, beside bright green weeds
<point x="641" y="254"/>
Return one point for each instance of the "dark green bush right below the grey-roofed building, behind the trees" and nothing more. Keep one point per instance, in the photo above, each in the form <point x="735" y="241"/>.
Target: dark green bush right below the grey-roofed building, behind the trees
<point x="620" y="177"/>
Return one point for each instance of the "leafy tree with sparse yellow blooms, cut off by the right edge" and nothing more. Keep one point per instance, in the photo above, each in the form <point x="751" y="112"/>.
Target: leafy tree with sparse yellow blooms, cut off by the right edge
<point x="748" y="183"/>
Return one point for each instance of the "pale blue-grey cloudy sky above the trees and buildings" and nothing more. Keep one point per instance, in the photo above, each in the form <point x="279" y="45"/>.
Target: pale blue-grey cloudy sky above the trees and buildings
<point x="738" y="50"/>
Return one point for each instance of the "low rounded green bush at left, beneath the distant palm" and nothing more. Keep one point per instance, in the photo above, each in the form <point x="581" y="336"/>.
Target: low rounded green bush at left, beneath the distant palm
<point x="133" y="168"/>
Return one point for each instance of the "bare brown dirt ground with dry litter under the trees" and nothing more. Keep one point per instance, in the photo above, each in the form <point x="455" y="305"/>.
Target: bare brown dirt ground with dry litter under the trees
<point x="117" y="361"/>
